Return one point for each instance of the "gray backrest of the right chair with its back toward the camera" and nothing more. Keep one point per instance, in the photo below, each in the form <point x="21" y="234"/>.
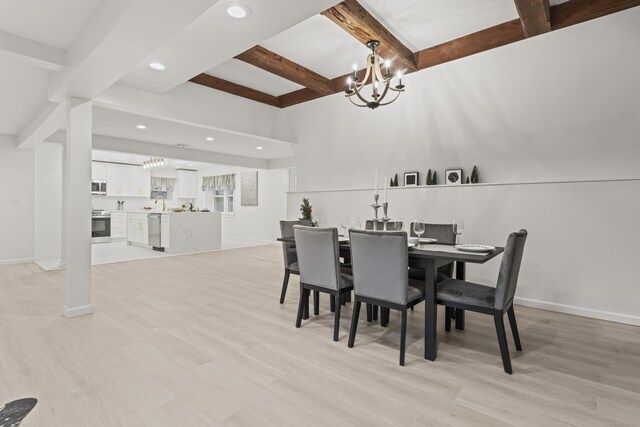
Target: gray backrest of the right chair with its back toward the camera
<point x="380" y="261"/>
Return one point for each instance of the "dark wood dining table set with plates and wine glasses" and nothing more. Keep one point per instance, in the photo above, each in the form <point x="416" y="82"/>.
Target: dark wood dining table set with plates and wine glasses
<point x="429" y="257"/>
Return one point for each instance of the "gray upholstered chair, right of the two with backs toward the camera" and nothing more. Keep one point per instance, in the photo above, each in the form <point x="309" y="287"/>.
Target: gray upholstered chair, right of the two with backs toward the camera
<point x="380" y="277"/>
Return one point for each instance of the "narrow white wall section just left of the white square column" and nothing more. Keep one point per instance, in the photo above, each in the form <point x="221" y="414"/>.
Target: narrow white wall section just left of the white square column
<point x="48" y="232"/>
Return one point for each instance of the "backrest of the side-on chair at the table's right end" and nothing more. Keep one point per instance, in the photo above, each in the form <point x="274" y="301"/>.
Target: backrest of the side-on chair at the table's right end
<point x="509" y="269"/>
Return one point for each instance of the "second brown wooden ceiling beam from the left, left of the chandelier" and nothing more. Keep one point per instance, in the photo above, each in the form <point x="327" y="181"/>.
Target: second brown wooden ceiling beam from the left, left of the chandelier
<point x="263" y="58"/>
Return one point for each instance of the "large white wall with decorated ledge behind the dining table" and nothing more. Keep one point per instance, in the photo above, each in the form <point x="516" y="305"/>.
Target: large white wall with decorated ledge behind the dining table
<point x="561" y="107"/>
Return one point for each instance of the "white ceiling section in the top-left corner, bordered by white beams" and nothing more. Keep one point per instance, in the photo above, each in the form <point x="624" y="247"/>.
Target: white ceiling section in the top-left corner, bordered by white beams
<point x="52" y="22"/>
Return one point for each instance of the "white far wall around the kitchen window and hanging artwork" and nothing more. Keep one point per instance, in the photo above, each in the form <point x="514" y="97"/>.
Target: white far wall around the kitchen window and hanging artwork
<point x="252" y="223"/>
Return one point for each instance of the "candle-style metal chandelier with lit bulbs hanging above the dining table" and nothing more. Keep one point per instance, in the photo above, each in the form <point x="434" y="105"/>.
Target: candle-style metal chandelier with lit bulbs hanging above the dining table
<point x="380" y="83"/>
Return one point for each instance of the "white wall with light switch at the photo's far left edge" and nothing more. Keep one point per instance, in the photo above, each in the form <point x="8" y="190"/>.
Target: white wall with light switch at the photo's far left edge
<point x="17" y="203"/>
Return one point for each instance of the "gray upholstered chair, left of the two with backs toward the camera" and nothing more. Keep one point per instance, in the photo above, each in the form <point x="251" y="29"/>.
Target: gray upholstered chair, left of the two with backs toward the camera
<point x="319" y="264"/>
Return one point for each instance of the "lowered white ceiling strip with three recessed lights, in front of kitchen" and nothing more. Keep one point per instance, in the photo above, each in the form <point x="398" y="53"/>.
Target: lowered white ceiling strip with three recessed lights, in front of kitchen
<point x="123" y="125"/>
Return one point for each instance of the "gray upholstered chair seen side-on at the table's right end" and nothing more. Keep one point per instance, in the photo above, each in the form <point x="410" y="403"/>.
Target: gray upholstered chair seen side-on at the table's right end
<point x="453" y="293"/>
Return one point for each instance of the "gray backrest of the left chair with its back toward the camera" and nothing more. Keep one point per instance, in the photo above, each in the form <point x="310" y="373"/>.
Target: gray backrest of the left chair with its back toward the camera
<point x="318" y="256"/>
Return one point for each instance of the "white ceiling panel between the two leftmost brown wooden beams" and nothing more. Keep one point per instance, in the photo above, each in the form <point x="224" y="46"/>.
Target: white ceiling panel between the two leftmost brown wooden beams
<point x="256" y="78"/>
